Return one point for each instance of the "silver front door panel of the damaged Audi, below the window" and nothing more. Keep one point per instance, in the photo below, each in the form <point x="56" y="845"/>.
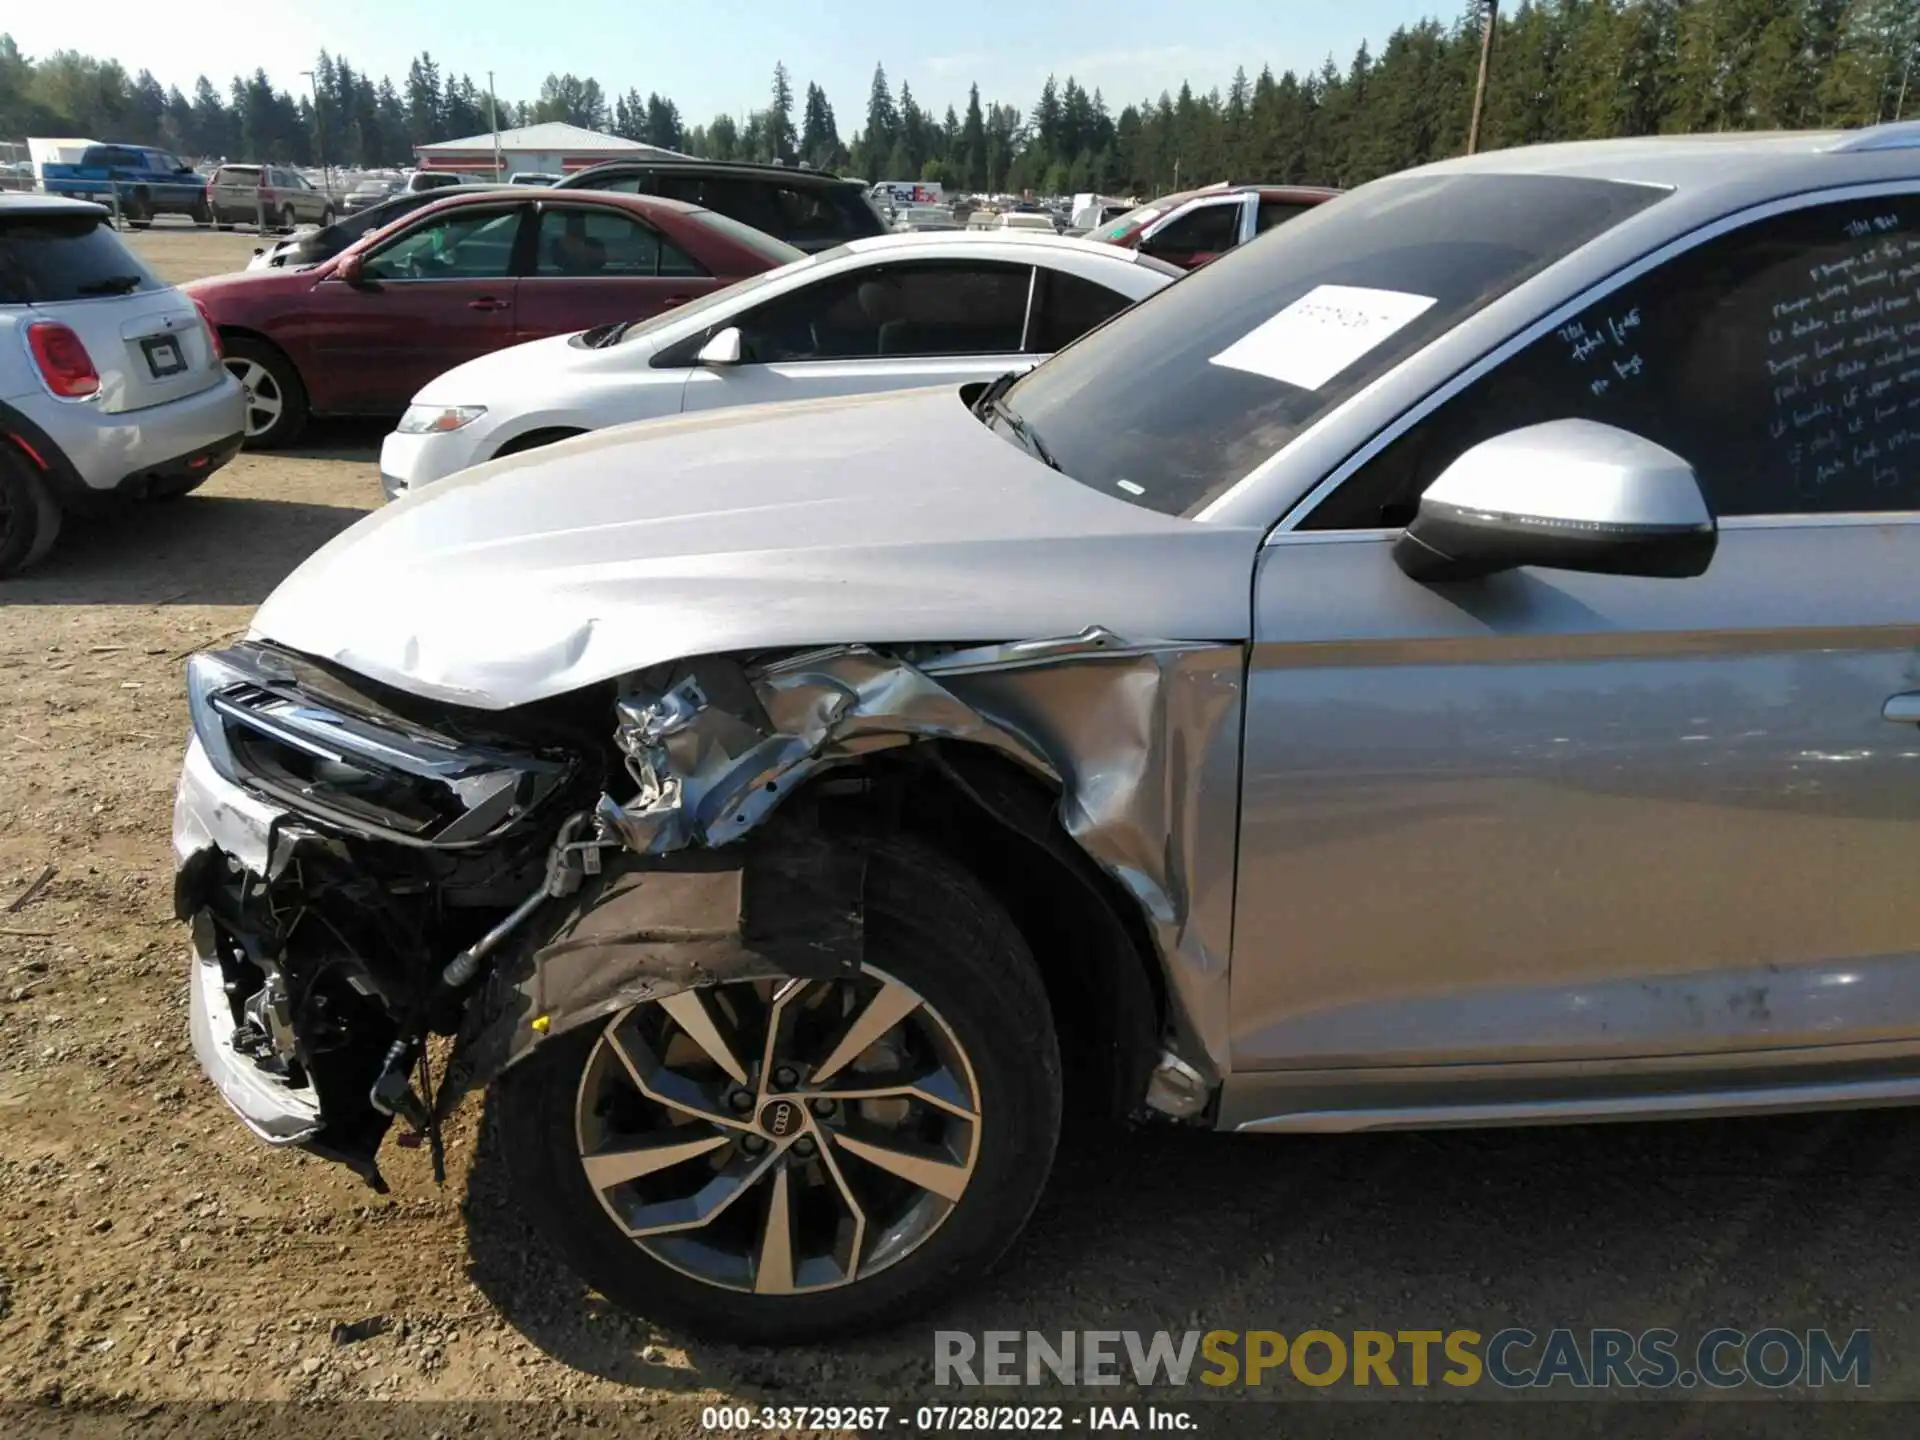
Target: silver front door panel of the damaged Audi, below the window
<point x="1581" y="817"/>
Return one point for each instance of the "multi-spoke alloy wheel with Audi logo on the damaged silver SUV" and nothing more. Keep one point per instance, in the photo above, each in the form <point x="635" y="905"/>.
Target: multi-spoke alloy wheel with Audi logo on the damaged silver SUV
<point x="780" y="1138"/>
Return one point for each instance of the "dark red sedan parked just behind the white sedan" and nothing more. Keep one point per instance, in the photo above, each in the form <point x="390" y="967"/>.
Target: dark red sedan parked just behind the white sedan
<point x="364" y="331"/>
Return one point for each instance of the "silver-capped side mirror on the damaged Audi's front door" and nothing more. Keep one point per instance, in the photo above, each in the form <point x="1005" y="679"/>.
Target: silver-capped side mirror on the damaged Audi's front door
<point x="1562" y="496"/>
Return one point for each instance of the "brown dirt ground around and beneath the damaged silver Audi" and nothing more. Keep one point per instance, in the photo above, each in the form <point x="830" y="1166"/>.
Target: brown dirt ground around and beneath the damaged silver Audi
<point x="153" y="1251"/>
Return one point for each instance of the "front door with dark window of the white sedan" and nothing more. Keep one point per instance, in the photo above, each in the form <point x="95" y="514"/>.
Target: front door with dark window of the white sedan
<point x="888" y="327"/>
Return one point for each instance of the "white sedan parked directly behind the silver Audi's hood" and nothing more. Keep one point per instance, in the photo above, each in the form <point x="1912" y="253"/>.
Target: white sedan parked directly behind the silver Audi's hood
<point x="882" y="314"/>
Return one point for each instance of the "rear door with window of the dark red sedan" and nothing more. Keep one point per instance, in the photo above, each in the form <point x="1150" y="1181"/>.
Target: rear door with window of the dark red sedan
<point x="600" y="266"/>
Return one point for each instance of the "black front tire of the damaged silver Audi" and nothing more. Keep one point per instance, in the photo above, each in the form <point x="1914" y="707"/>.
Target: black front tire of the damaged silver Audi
<point x="936" y="930"/>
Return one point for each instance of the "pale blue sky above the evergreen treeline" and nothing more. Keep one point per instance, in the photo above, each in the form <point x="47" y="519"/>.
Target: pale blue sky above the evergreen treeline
<point x="719" y="55"/>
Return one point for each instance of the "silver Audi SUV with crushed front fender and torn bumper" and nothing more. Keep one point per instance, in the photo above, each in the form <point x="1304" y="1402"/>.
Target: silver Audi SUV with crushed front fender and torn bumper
<point x="1452" y="661"/>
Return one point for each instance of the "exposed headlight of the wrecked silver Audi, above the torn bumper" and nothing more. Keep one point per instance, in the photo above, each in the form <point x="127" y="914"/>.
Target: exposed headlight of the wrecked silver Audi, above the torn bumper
<point x="358" y="771"/>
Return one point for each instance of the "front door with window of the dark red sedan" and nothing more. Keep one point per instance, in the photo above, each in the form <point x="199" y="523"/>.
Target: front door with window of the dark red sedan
<point x="433" y="297"/>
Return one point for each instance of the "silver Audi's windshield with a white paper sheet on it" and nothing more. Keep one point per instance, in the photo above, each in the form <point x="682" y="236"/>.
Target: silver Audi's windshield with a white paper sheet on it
<point x="1182" y="396"/>
